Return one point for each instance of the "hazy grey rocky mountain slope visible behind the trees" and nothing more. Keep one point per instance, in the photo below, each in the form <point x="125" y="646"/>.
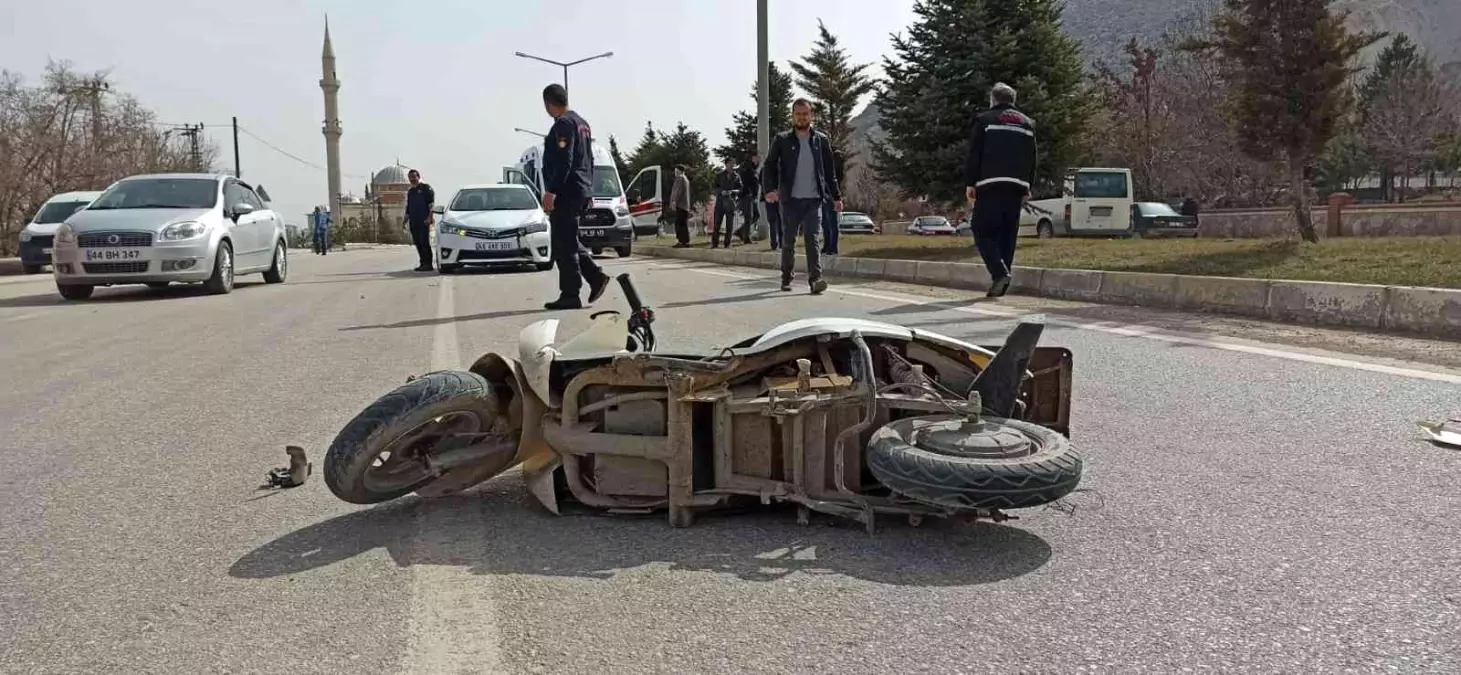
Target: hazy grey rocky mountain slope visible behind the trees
<point x="1104" y="27"/>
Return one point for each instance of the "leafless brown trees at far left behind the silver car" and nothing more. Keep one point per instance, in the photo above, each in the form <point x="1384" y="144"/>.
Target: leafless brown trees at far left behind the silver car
<point x="75" y="132"/>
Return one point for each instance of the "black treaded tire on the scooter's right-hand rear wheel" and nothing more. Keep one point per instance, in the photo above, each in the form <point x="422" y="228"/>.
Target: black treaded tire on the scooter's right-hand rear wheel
<point x="978" y="483"/>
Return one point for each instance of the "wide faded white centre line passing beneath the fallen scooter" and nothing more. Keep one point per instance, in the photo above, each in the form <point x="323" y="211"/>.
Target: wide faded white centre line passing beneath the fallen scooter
<point x="454" y="622"/>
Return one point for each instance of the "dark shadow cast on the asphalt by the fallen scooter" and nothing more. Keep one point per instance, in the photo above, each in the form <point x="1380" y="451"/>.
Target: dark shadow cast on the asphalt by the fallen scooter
<point x="490" y="534"/>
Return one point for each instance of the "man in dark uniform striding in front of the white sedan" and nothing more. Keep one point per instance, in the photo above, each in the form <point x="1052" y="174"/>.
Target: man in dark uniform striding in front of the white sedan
<point x="568" y="182"/>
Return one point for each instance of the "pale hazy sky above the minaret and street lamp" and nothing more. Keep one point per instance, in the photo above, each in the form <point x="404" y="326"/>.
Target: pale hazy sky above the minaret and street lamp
<point x="436" y="83"/>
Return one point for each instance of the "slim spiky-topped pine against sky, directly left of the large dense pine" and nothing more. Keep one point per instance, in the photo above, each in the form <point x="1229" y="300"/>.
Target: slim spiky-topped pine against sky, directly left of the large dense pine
<point x="835" y="85"/>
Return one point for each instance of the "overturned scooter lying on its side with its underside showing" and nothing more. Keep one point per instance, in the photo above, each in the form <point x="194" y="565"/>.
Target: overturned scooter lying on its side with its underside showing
<point x="847" y="417"/>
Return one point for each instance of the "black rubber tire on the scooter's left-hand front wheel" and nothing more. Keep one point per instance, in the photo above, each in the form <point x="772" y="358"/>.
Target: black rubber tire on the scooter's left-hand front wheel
<point x="353" y="449"/>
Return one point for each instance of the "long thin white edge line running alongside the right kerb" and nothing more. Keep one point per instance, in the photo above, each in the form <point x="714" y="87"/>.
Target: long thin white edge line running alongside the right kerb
<point x="1129" y="331"/>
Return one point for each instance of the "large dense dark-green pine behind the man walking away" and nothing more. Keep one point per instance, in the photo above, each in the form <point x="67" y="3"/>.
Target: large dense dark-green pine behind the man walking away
<point x="945" y="68"/>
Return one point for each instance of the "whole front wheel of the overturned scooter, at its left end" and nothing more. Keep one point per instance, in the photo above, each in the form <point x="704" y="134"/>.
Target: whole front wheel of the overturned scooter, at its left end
<point x="384" y="454"/>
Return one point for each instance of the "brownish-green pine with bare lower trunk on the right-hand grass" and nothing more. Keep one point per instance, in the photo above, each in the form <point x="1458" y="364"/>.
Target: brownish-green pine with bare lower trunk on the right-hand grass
<point x="1292" y="62"/>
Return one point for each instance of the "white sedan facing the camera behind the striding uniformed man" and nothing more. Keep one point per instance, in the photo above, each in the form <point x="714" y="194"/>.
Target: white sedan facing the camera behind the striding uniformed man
<point x="499" y="224"/>
